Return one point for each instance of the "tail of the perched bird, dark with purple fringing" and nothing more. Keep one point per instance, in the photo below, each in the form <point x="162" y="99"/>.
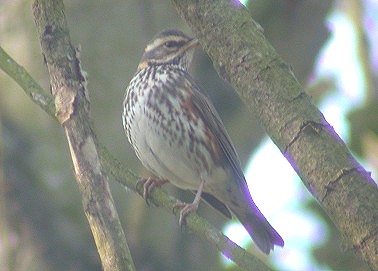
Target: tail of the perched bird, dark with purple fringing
<point x="261" y="232"/>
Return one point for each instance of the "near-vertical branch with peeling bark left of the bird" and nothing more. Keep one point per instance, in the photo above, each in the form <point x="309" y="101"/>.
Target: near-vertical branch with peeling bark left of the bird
<point x="68" y="87"/>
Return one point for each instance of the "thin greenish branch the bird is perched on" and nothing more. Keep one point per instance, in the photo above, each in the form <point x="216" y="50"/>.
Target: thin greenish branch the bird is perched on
<point x="116" y="170"/>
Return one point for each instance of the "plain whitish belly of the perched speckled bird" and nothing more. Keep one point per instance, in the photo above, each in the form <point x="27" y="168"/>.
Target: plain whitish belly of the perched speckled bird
<point x="170" y="161"/>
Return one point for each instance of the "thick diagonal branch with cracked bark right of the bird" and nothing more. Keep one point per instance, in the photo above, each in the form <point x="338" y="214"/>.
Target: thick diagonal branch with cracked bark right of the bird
<point x="244" y="58"/>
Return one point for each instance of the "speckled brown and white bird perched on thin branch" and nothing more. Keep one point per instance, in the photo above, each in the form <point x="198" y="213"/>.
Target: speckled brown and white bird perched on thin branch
<point x="179" y="137"/>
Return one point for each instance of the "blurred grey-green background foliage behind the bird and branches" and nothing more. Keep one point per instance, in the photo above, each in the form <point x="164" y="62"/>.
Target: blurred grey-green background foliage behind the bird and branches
<point x="42" y="224"/>
